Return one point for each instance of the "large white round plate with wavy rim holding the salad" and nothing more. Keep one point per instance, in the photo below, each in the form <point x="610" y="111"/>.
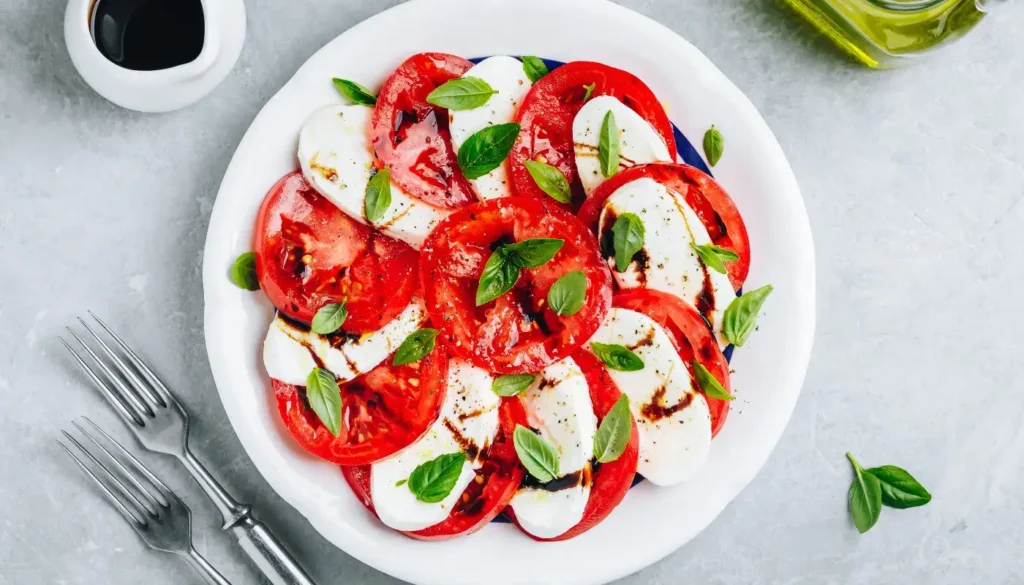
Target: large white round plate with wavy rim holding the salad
<point x="770" y="370"/>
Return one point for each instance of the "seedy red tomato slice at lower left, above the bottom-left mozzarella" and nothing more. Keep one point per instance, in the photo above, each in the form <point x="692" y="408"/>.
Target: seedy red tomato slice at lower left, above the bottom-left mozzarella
<point x="382" y="411"/>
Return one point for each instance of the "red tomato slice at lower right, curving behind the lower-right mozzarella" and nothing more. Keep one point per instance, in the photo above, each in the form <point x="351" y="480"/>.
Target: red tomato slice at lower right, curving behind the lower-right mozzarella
<point x="691" y="337"/>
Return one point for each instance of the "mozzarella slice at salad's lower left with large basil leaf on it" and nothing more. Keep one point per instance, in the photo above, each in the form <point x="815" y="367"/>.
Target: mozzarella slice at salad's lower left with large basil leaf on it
<point x="468" y="423"/>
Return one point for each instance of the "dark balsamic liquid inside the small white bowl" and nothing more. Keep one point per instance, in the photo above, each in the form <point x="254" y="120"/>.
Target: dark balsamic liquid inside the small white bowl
<point x="149" y="35"/>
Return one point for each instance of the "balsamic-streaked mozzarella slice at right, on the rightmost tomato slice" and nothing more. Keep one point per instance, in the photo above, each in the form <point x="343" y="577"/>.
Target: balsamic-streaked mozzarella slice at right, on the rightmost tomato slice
<point x="667" y="263"/>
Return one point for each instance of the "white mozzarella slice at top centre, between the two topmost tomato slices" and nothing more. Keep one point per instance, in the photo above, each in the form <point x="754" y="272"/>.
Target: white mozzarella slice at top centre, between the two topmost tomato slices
<point x="506" y="75"/>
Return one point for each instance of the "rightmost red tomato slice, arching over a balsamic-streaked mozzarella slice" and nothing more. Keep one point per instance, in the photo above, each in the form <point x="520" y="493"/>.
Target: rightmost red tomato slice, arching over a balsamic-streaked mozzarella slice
<point x="703" y="194"/>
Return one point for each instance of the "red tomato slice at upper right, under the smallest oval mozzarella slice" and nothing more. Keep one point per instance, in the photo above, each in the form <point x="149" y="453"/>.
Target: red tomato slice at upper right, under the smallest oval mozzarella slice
<point x="548" y="111"/>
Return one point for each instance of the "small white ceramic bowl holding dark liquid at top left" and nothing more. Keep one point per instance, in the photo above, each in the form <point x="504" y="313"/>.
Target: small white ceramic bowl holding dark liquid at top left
<point x="161" y="91"/>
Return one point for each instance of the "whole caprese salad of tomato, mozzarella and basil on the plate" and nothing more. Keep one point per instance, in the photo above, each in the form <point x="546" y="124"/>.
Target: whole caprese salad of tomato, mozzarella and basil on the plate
<point x="500" y="292"/>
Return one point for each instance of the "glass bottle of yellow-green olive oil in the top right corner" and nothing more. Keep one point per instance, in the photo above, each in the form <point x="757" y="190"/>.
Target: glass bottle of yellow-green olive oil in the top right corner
<point x="888" y="33"/>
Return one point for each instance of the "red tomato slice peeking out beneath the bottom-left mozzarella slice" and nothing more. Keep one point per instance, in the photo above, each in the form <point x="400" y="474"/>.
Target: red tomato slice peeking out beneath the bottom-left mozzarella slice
<point x="496" y="483"/>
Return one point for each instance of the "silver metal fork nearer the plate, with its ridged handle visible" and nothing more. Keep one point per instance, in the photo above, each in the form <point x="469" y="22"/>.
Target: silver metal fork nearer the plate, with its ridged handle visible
<point x="161" y="425"/>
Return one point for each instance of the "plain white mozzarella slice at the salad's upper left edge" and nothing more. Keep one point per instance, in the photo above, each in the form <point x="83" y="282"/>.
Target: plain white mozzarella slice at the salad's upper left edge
<point x="338" y="160"/>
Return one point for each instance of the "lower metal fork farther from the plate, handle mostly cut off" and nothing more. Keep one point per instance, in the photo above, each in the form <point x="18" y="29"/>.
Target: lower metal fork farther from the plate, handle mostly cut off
<point x="161" y="519"/>
